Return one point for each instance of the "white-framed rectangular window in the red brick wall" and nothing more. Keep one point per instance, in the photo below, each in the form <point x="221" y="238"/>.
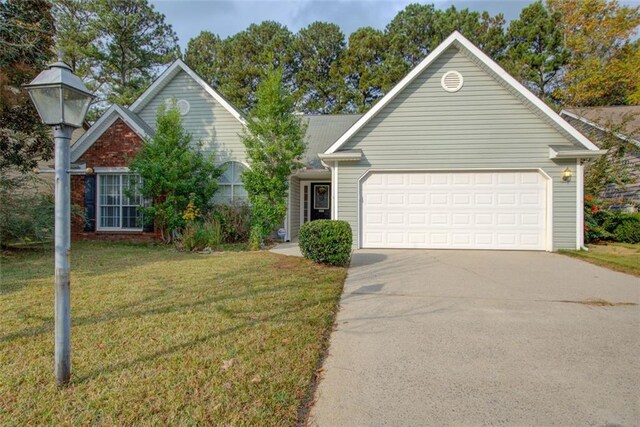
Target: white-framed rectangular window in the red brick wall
<point x="119" y="201"/>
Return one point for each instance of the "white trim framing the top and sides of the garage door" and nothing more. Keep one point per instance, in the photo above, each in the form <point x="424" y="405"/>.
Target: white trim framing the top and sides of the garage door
<point x="549" y="190"/>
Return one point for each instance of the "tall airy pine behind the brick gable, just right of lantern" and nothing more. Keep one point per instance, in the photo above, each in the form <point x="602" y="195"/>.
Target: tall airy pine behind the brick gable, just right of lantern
<point x="120" y="47"/>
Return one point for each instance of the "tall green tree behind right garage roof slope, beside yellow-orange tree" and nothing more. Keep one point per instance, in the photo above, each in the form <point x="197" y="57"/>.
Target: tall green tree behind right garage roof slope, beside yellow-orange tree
<point x="536" y="54"/>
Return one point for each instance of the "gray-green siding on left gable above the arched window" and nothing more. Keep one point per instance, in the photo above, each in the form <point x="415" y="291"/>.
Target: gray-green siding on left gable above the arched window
<point x="207" y="120"/>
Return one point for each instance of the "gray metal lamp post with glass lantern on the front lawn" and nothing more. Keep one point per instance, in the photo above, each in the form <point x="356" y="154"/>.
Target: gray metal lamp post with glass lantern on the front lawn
<point x="62" y="102"/>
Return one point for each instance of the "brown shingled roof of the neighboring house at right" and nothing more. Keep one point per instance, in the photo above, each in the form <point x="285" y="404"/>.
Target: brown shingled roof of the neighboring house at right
<point x="623" y="119"/>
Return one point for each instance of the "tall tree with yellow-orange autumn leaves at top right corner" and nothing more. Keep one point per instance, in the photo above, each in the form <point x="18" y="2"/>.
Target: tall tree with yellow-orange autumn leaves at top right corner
<point x="603" y="68"/>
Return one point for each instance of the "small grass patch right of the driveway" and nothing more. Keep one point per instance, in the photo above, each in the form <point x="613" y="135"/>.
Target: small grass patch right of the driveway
<point x="622" y="257"/>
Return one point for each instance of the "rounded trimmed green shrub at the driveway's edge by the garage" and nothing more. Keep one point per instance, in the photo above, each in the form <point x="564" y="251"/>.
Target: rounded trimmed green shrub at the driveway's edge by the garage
<point x="326" y="241"/>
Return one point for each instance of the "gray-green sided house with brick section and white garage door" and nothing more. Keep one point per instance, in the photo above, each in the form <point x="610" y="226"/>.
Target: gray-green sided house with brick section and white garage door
<point x="457" y="155"/>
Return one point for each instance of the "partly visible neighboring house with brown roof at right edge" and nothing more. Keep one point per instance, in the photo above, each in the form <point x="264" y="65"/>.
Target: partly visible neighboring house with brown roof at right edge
<point x="622" y="123"/>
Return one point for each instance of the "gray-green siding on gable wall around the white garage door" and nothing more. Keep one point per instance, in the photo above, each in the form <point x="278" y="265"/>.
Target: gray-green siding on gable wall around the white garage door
<point x="484" y="126"/>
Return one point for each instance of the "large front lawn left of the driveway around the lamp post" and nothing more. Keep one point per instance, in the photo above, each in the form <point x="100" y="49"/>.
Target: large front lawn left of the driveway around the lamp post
<point x="161" y="337"/>
